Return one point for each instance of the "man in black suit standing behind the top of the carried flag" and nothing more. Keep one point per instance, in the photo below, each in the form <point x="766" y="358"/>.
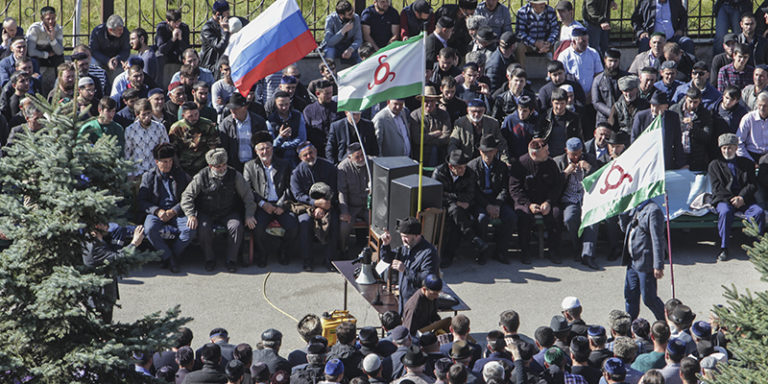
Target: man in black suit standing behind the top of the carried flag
<point x="674" y="157"/>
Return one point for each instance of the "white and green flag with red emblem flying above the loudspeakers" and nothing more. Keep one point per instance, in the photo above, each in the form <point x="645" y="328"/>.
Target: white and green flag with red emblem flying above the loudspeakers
<point x="393" y="72"/>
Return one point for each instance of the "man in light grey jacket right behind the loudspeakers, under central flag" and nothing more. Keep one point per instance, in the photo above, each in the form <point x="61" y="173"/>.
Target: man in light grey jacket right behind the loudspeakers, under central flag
<point x="392" y="127"/>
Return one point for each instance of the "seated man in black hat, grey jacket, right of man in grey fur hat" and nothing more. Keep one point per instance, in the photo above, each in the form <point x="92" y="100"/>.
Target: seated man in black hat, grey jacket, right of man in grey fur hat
<point x="270" y="180"/>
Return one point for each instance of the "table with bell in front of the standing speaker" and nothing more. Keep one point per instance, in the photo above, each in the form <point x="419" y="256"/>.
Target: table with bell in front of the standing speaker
<point x="388" y="299"/>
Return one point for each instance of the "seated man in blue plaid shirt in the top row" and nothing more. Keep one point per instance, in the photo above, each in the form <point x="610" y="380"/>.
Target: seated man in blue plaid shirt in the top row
<point x="537" y="29"/>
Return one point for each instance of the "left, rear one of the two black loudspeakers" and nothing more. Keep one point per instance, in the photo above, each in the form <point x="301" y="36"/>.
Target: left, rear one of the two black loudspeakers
<point x="386" y="169"/>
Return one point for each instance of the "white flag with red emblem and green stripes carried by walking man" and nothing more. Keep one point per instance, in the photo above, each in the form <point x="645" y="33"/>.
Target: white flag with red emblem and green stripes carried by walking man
<point x="625" y="182"/>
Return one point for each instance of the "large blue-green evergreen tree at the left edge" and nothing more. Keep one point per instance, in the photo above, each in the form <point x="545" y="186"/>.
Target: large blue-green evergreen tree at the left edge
<point x="55" y="188"/>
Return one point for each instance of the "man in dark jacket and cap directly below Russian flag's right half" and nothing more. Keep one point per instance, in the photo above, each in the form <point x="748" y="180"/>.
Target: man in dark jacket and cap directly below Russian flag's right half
<point x="287" y="126"/>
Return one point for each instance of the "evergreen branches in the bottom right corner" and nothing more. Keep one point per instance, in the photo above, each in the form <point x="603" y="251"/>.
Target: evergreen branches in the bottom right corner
<point x="745" y="319"/>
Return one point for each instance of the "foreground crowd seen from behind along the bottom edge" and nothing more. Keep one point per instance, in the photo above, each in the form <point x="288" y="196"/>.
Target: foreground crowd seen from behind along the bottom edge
<point x="672" y="350"/>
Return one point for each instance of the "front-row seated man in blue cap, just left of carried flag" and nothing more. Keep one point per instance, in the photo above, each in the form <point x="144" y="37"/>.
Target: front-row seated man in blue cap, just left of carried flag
<point x="575" y="165"/>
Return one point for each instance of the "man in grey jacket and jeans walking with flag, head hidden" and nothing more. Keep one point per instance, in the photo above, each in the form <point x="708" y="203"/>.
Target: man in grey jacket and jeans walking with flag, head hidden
<point x="644" y="257"/>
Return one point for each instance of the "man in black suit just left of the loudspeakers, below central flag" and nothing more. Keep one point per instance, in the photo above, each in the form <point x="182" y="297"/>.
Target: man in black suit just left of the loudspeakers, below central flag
<point x="342" y="133"/>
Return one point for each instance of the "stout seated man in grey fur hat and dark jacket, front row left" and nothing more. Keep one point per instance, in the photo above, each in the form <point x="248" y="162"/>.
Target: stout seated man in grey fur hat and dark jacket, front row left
<point x="212" y="199"/>
